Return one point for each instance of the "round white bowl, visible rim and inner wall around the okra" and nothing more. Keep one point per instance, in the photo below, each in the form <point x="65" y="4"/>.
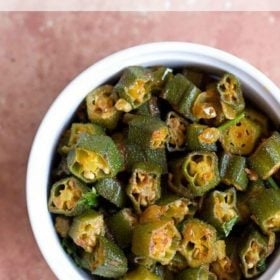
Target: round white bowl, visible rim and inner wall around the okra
<point x="258" y="88"/>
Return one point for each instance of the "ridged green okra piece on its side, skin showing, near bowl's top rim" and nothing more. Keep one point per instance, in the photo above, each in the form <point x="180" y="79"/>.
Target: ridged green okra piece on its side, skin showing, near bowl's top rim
<point x="181" y="94"/>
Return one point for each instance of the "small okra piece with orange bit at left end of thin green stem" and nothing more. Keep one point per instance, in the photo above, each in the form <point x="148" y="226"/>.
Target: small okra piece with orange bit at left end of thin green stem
<point x="194" y="142"/>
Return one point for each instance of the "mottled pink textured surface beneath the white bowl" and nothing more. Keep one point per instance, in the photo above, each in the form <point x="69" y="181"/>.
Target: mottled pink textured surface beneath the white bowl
<point x="41" y="52"/>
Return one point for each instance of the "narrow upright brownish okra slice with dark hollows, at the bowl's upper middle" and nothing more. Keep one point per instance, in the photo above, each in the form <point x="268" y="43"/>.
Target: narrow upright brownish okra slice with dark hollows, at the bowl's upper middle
<point x="177" y="127"/>
